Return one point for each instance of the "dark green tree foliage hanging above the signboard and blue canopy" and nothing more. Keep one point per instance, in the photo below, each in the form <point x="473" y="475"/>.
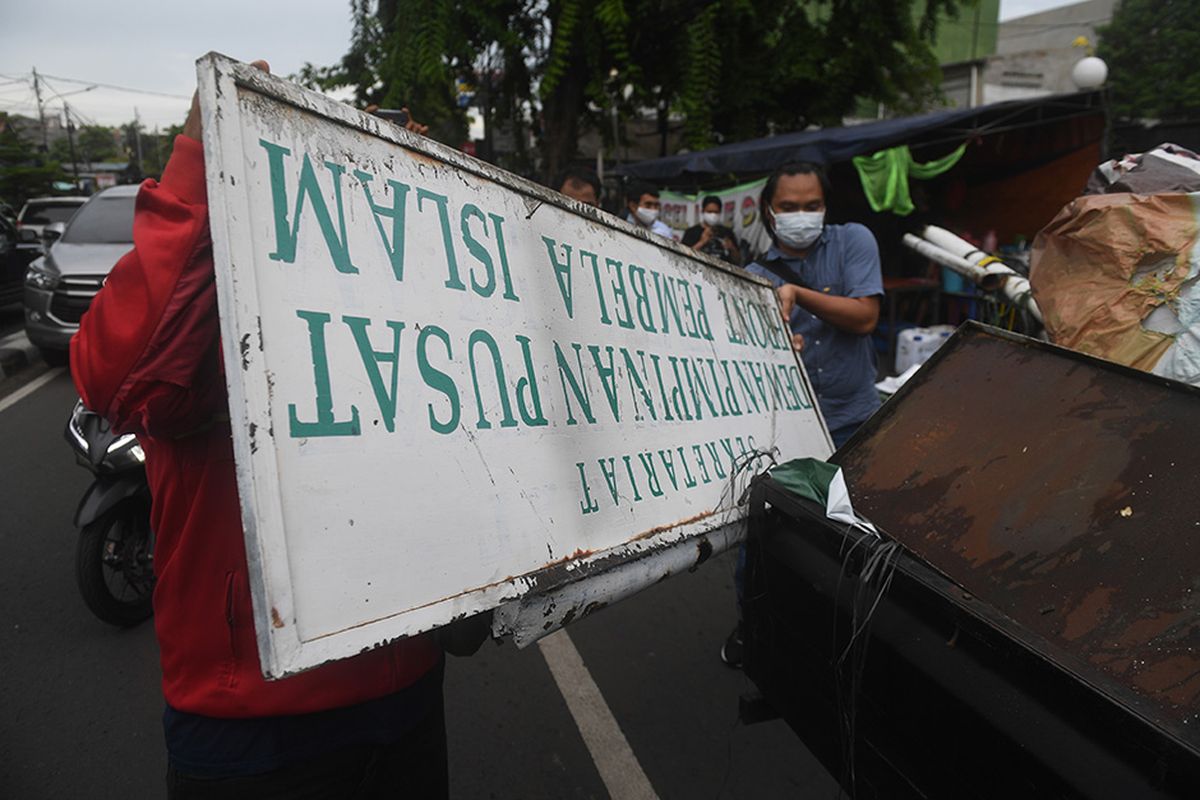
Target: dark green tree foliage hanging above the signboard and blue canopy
<point x="735" y="69"/>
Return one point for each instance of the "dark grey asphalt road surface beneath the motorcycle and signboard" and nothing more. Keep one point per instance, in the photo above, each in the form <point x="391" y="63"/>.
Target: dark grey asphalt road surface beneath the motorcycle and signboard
<point x="81" y="705"/>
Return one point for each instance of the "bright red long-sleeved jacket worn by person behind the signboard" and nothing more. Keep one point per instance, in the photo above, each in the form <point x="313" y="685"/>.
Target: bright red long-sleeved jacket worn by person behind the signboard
<point x="148" y="359"/>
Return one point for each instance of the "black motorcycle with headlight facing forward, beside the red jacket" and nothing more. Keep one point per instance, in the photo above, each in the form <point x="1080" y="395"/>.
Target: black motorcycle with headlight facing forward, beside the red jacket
<point x="115" y="557"/>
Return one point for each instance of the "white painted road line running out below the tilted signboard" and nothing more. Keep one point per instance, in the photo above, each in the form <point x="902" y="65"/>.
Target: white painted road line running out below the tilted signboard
<point x="615" y="760"/>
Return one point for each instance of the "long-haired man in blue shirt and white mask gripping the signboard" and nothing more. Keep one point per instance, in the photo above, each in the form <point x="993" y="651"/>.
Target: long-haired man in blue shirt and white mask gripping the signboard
<point x="830" y="285"/>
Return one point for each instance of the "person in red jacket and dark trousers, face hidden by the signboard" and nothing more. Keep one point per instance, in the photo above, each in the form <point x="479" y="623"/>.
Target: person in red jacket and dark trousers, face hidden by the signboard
<point x="148" y="359"/>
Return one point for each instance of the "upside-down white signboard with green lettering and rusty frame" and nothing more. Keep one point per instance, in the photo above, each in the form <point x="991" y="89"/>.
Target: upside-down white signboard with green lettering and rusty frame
<point x="451" y="387"/>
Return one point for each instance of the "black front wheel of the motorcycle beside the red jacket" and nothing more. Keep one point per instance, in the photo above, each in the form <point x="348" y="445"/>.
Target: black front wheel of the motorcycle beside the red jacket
<point x="115" y="564"/>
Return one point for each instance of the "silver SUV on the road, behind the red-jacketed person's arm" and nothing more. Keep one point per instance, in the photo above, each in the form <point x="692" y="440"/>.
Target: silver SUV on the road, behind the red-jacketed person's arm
<point x="59" y="286"/>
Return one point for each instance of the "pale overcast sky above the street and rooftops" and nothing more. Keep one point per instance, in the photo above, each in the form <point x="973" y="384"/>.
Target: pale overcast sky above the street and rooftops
<point x="152" y="47"/>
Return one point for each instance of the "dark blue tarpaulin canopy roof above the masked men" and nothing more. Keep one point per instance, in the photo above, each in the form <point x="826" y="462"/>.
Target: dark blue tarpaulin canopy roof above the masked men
<point x="835" y="146"/>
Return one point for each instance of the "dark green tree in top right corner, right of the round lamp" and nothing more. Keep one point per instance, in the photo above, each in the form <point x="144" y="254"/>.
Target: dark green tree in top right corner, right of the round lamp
<point x="1150" y="47"/>
